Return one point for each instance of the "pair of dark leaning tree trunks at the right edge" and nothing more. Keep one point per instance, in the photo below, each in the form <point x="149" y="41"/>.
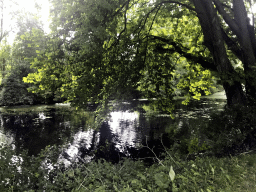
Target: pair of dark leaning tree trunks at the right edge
<point x="214" y="37"/>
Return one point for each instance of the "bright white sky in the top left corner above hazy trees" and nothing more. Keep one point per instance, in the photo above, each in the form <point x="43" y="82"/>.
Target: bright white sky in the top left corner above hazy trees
<point x="27" y="5"/>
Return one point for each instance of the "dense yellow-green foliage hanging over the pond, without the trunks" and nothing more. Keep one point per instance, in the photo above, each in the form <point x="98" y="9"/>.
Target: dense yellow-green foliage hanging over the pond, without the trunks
<point x="96" y="55"/>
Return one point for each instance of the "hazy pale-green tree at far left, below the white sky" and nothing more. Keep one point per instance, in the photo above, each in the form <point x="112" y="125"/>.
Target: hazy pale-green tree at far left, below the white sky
<point x="28" y="43"/>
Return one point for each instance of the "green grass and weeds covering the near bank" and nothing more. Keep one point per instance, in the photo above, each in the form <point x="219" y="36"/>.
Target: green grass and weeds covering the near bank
<point x="236" y="173"/>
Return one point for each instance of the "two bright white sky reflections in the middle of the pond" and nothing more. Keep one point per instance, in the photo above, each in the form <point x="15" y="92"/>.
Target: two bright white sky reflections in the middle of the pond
<point x="122" y="127"/>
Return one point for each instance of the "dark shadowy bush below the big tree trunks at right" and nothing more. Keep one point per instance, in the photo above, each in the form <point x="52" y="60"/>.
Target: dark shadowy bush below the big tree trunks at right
<point x="233" y="130"/>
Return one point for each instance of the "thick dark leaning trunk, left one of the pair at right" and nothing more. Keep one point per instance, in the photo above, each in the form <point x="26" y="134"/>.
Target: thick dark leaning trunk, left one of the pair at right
<point x="214" y="41"/>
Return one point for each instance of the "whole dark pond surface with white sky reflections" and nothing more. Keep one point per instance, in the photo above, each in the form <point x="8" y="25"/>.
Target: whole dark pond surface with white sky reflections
<point x="124" y="134"/>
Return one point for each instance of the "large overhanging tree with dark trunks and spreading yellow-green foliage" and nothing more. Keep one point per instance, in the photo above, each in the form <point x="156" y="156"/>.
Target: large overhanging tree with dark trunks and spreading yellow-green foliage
<point x="108" y="48"/>
